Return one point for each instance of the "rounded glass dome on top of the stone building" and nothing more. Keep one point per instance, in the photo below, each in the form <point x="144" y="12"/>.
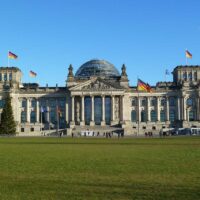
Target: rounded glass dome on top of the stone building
<point x="97" y="68"/>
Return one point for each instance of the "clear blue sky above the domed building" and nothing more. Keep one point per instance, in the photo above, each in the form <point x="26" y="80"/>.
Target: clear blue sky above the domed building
<point x="149" y="36"/>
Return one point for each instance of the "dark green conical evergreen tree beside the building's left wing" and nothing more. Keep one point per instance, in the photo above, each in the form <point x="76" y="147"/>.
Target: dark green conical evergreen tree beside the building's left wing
<point x="8" y="125"/>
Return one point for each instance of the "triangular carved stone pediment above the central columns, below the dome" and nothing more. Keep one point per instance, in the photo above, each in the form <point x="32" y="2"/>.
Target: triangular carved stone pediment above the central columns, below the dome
<point x="95" y="84"/>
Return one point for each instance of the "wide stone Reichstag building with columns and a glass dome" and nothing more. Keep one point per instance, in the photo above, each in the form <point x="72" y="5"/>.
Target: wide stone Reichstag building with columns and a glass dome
<point x="99" y="98"/>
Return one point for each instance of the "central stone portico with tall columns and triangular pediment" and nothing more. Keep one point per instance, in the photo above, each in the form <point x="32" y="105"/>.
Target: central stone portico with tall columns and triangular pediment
<point x="96" y="103"/>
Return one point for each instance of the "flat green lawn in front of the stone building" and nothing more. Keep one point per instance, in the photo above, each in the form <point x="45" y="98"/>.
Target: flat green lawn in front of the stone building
<point x="94" y="168"/>
